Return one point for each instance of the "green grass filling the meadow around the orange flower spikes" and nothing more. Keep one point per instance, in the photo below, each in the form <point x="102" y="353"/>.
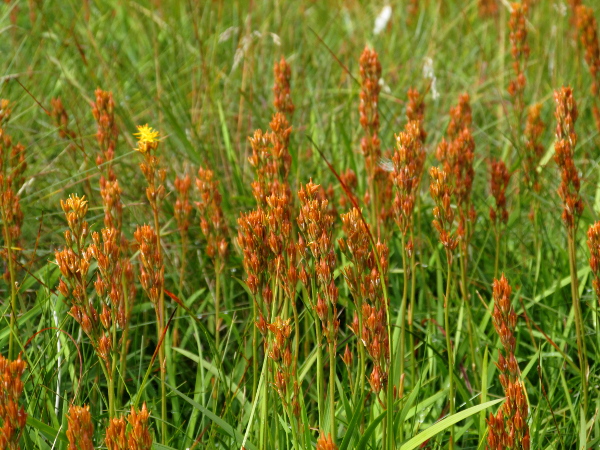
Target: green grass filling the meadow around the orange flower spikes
<point x="201" y="74"/>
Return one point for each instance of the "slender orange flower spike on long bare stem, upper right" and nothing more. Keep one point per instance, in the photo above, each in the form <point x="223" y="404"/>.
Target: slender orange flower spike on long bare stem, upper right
<point x="566" y="140"/>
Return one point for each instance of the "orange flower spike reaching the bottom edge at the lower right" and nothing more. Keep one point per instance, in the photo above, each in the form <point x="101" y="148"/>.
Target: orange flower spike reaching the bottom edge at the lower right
<point x="508" y="428"/>
